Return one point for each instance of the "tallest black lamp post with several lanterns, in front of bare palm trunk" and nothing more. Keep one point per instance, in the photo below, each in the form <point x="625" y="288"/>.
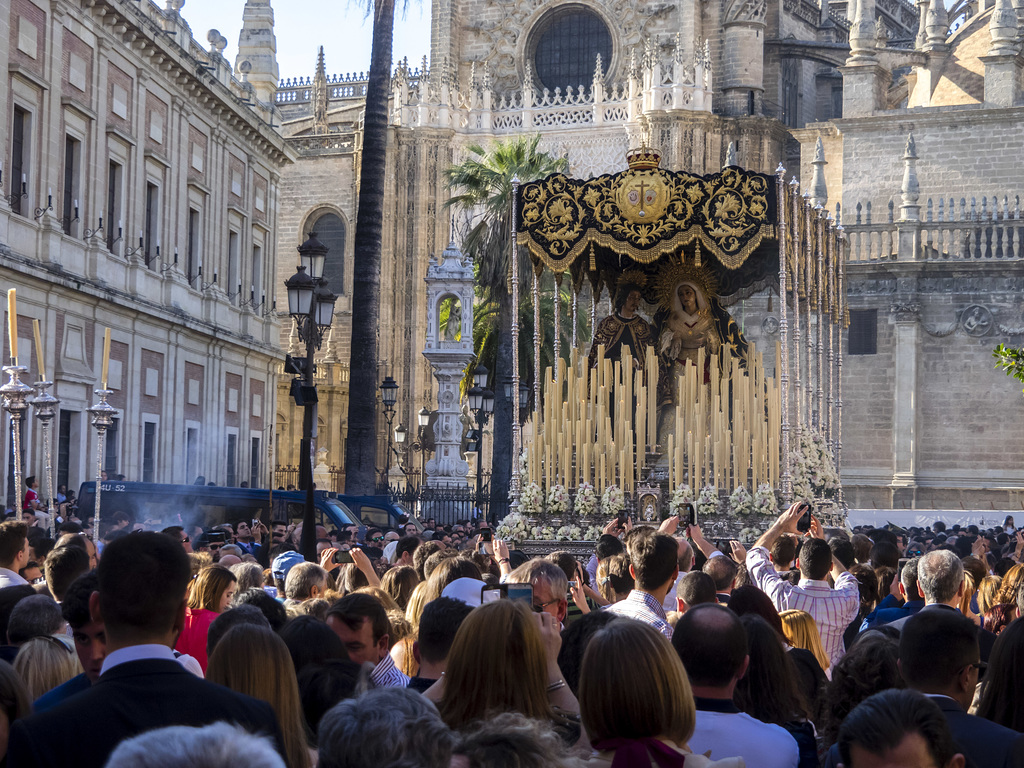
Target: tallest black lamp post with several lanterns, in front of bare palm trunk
<point x="312" y="306"/>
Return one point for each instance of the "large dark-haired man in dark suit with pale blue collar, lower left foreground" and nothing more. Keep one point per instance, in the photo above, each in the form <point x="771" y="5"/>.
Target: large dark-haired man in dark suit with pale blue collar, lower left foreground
<point x="142" y="603"/>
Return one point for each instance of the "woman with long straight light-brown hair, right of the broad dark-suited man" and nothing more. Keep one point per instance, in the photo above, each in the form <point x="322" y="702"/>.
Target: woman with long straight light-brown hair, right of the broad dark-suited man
<point x="254" y="661"/>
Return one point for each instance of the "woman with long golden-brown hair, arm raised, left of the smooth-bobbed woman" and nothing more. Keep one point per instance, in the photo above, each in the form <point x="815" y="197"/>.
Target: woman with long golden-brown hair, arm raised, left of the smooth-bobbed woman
<point x="505" y="659"/>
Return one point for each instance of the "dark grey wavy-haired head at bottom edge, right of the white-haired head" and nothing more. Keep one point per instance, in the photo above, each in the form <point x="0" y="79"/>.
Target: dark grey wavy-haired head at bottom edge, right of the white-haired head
<point x="385" y="727"/>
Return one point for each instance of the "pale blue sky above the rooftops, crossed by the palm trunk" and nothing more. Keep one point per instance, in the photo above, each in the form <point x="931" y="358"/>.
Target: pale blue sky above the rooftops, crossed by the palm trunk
<point x="302" y="26"/>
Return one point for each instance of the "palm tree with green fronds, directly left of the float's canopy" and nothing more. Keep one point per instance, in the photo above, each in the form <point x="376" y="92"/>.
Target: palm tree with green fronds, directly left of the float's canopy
<point x="484" y="190"/>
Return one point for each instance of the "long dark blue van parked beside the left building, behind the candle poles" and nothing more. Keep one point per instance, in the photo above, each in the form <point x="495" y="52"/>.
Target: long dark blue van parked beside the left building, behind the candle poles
<point x="161" y="505"/>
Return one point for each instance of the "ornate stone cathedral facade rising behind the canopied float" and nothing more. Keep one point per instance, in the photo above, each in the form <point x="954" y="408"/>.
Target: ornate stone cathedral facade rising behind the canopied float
<point x="593" y="77"/>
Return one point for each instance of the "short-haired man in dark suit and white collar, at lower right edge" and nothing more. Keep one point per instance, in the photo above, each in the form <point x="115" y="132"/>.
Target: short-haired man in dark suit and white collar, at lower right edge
<point x="940" y="657"/>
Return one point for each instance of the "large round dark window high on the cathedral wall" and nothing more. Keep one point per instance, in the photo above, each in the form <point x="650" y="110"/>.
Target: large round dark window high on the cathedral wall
<point x="566" y="45"/>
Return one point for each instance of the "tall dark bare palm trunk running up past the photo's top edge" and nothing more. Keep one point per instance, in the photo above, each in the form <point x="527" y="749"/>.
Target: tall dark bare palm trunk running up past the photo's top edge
<point x="361" y="449"/>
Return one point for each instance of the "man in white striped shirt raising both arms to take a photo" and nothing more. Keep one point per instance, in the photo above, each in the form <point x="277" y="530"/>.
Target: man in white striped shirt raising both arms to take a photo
<point x="832" y="609"/>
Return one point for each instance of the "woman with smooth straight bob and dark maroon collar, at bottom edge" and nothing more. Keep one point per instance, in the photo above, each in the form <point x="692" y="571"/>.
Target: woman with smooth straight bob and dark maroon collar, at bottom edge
<point x="642" y="713"/>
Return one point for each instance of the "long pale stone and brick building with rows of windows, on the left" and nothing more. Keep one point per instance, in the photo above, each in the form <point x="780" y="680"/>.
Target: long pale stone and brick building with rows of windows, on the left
<point x="142" y="184"/>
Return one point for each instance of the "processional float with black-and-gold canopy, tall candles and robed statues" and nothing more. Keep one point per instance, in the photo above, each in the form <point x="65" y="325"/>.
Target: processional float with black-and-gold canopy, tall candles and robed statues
<point x="680" y="407"/>
